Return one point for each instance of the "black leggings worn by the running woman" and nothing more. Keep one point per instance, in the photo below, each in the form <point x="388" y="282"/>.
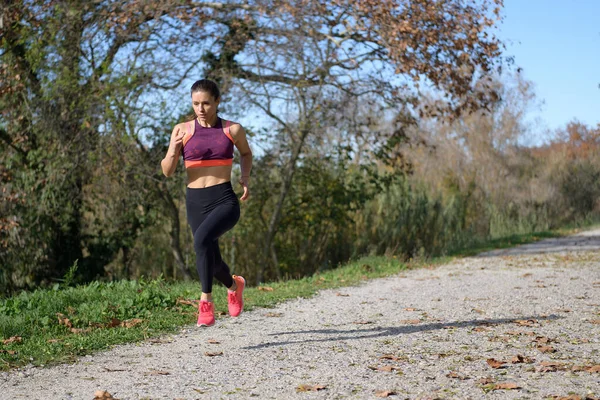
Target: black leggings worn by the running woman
<point x="211" y="212"/>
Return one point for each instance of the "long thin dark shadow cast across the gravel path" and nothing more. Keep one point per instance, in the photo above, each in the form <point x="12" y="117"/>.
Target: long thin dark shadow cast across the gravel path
<point x="334" y="335"/>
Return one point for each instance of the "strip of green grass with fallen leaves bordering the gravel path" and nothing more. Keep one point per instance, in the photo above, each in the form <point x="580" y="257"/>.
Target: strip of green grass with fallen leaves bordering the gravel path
<point x="33" y="316"/>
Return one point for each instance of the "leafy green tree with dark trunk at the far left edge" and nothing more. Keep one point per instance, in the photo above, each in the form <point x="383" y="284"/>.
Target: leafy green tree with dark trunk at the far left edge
<point x="70" y="71"/>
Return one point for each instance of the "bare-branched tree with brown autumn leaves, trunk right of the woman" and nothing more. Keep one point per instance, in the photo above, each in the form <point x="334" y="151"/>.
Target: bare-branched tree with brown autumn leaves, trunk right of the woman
<point x="292" y="59"/>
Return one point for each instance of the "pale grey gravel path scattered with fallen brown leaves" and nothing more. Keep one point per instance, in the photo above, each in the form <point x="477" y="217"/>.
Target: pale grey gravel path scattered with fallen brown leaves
<point x="424" y="334"/>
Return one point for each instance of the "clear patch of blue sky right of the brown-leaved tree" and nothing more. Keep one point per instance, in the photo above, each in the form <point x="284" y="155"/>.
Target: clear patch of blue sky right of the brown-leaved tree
<point x="557" y="43"/>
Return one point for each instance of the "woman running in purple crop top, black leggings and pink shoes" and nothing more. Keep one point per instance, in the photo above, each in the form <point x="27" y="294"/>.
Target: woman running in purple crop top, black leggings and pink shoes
<point x="206" y="144"/>
